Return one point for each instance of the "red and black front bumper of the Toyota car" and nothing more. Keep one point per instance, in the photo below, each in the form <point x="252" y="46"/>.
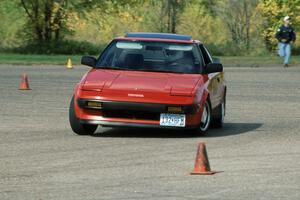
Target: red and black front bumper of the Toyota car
<point x="132" y="114"/>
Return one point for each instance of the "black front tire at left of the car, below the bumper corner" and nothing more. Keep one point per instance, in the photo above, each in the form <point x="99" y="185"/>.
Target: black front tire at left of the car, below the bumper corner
<point x="77" y="127"/>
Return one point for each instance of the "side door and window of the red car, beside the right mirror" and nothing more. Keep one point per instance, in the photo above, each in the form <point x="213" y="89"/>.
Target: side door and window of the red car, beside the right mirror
<point x="215" y="79"/>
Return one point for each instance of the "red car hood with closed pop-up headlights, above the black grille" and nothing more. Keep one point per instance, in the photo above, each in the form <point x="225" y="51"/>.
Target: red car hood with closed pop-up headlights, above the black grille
<point x="139" y="82"/>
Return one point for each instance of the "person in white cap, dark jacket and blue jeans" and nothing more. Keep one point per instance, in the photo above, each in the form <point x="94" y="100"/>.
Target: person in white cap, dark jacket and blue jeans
<point x="285" y="36"/>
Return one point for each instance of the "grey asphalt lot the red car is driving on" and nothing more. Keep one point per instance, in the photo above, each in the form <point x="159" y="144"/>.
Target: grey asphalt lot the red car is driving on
<point x="257" y="152"/>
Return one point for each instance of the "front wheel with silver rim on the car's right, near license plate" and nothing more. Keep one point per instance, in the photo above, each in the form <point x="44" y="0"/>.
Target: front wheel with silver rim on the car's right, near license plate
<point x="205" y="120"/>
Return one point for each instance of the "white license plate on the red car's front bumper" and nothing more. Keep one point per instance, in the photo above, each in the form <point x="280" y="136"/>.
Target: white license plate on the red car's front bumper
<point x="176" y="120"/>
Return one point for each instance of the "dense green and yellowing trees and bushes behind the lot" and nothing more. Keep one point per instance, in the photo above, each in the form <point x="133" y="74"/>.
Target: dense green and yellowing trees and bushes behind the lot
<point x="228" y="27"/>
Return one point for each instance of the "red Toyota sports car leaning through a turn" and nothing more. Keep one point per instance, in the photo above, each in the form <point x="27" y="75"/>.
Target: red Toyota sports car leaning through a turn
<point x="153" y="80"/>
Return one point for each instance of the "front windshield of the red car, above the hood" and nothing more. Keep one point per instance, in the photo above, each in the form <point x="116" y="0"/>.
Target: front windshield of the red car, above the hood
<point x="151" y="56"/>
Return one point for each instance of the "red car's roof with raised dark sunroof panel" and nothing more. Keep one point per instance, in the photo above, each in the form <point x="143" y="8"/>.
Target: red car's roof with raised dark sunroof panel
<point x="164" y="37"/>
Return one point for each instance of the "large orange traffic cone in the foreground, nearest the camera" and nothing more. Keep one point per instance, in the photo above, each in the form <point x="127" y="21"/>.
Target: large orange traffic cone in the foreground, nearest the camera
<point x="202" y="164"/>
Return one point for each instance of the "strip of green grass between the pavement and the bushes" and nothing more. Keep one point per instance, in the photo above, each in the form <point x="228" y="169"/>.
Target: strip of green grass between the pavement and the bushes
<point x="248" y="61"/>
